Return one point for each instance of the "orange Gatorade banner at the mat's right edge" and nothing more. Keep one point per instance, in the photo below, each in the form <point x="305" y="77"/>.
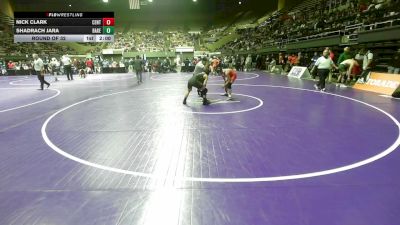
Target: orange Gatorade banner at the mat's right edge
<point x="382" y="83"/>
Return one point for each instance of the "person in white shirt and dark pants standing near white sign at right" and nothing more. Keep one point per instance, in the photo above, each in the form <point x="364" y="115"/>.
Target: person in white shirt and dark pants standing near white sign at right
<point x="324" y="65"/>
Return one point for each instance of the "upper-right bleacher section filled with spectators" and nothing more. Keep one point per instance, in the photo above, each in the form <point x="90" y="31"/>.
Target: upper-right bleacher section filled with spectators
<point x="315" y="19"/>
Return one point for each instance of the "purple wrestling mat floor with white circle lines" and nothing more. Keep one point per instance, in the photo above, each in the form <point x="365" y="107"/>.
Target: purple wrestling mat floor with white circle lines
<point x="107" y="151"/>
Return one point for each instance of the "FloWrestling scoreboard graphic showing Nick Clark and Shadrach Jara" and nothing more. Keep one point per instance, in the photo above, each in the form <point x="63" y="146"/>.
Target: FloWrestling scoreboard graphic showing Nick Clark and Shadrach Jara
<point x="64" y="27"/>
